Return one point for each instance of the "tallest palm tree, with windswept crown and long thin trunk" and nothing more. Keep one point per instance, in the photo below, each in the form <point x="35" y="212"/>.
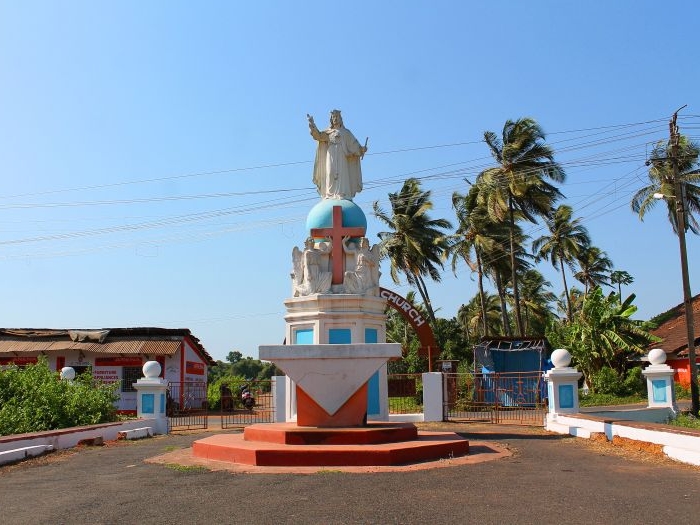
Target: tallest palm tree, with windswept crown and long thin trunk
<point x="517" y="184"/>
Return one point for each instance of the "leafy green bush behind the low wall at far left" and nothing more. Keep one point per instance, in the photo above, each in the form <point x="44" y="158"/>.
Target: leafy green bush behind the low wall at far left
<point x="34" y="398"/>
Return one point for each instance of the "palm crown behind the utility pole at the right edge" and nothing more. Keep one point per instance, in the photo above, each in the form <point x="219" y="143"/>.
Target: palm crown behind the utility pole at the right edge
<point x="662" y="183"/>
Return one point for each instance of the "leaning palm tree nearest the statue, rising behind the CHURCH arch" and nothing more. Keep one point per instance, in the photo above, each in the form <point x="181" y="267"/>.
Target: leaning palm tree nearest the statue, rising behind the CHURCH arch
<point x="416" y="243"/>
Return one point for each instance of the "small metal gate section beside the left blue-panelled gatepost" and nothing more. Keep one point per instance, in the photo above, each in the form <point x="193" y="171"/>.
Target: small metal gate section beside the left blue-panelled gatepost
<point x="186" y="405"/>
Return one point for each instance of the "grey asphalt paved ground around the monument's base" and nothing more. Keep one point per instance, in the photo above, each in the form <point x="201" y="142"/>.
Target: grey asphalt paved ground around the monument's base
<point x="548" y="479"/>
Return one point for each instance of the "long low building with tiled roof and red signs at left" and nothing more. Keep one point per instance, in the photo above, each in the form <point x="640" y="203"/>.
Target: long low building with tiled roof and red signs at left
<point x="110" y="354"/>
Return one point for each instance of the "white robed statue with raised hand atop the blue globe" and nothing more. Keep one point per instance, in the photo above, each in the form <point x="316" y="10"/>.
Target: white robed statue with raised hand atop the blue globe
<point x="337" y="172"/>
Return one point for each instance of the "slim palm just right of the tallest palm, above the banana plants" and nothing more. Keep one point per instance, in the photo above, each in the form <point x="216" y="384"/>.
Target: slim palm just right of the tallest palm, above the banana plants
<point x="564" y="243"/>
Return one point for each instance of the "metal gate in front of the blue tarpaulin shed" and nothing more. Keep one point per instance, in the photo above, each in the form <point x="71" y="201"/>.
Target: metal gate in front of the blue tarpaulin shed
<point x="514" y="397"/>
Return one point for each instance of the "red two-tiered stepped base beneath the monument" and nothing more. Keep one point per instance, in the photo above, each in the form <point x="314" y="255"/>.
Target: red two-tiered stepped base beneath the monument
<point x="286" y="444"/>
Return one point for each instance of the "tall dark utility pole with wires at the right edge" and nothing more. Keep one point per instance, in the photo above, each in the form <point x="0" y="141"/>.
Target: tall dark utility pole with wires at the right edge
<point x="679" y="191"/>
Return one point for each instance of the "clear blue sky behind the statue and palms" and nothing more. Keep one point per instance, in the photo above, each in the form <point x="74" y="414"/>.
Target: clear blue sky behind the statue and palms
<point x="156" y="161"/>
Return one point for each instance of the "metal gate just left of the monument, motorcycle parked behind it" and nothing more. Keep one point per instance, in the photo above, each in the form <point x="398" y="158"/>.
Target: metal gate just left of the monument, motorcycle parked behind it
<point x="235" y="414"/>
